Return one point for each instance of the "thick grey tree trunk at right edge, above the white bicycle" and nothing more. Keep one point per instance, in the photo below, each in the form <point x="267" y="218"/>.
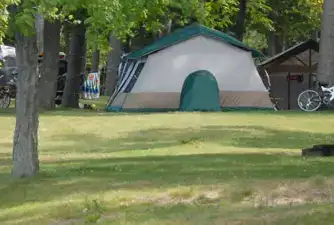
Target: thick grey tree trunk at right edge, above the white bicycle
<point x="325" y="73"/>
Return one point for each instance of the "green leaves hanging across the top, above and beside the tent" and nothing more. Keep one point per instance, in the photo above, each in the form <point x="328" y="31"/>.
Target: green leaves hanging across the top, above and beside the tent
<point x="293" y="19"/>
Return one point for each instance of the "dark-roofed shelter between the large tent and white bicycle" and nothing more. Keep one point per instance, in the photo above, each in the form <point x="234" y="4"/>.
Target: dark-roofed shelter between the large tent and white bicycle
<point x="290" y="73"/>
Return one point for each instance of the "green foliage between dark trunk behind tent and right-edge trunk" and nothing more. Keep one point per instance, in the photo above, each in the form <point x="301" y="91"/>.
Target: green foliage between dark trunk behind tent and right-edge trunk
<point x="290" y="20"/>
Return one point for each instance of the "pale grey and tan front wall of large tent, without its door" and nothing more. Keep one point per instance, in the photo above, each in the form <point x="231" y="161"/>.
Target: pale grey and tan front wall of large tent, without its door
<point x="160" y="82"/>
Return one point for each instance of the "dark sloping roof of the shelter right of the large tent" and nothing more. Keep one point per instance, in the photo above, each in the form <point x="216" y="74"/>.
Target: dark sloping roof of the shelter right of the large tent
<point x="293" y="51"/>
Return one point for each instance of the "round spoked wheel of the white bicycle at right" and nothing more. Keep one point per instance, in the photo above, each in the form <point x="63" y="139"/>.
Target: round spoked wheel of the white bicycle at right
<point x="309" y="101"/>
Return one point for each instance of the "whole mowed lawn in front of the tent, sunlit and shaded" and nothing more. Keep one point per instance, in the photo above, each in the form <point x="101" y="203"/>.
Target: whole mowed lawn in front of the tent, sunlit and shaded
<point x="172" y="168"/>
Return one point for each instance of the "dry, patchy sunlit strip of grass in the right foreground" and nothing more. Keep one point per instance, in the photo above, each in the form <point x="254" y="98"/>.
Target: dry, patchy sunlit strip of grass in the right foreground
<point x="261" y="195"/>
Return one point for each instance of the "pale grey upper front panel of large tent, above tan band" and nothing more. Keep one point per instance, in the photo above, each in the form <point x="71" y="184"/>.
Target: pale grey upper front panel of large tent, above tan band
<point x="165" y="71"/>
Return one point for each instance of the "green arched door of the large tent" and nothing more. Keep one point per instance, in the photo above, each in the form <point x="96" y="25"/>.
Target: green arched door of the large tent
<point x="200" y="92"/>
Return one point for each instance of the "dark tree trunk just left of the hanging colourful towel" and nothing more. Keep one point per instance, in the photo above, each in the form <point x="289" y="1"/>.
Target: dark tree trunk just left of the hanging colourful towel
<point x="76" y="60"/>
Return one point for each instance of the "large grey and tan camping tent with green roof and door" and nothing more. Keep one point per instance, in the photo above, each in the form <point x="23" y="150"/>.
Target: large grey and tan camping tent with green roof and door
<point x="194" y="68"/>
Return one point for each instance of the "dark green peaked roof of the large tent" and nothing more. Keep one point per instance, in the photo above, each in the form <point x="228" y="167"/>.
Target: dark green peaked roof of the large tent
<point x="186" y="33"/>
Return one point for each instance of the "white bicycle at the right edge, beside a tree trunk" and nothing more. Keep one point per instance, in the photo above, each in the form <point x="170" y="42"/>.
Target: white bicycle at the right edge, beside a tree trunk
<point x="311" y="100"/>
